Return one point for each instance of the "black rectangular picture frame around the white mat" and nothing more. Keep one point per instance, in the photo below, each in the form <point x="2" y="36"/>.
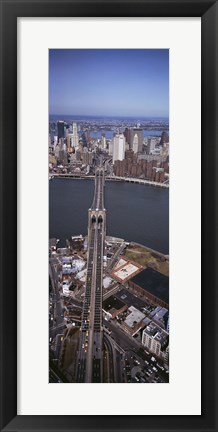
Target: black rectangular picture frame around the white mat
<point x="10" y="11"/>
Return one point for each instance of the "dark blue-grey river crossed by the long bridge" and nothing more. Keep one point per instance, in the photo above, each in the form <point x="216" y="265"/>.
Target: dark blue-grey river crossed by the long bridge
<point x="138" y="213"/>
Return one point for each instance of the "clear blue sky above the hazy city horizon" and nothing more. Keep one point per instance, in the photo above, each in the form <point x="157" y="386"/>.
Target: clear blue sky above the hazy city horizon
<point x="109" y="82"/>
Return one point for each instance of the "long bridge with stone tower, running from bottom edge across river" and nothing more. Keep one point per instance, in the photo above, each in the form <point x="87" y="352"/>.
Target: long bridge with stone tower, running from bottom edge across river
<point x="90" y="364"/>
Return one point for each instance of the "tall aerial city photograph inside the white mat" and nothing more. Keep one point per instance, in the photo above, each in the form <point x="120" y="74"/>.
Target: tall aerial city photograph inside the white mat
<point x="108" y="216"/>
